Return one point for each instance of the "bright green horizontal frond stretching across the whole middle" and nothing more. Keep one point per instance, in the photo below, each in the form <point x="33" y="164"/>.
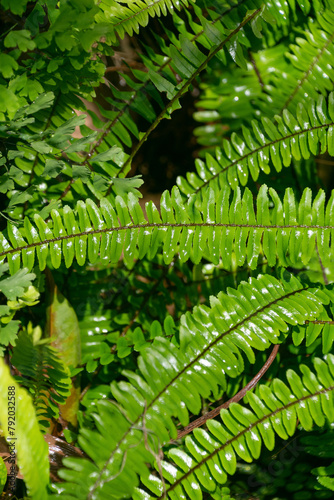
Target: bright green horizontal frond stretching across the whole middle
<point x="214" y="227"/>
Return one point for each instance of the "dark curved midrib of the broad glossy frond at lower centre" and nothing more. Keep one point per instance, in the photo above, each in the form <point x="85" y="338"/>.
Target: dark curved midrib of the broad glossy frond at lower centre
<point x="218" y="339"/>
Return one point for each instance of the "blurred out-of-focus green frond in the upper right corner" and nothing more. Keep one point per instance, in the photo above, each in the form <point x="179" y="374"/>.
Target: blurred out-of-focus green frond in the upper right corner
<point x="275" y="79"/>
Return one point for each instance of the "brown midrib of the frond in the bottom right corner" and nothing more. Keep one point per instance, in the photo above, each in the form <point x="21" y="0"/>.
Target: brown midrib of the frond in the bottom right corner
<point x="241" y="433"/>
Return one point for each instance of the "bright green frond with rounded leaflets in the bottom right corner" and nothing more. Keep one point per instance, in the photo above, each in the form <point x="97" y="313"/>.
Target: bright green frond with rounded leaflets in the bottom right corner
<point x="210" y="455"/>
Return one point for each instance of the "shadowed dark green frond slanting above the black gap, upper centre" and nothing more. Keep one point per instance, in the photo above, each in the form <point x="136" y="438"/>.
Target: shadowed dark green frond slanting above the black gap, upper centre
<point x="170" y="73"/>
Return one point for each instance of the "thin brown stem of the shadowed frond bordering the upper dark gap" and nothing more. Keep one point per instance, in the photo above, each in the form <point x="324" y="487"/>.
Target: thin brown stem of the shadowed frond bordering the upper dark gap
<point x="184" y="88"/>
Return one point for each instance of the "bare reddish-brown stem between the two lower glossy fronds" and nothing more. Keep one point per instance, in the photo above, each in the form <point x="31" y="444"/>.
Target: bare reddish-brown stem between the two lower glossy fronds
<point x="213" y="413"/>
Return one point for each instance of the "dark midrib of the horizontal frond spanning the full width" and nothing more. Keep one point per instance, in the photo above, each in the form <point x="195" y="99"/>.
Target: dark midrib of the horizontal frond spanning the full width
<point x="159" y="225"/>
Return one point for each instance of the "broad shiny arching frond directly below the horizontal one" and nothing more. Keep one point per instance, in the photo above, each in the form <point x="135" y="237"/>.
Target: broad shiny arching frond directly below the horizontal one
<point x="171" y="381"/>
